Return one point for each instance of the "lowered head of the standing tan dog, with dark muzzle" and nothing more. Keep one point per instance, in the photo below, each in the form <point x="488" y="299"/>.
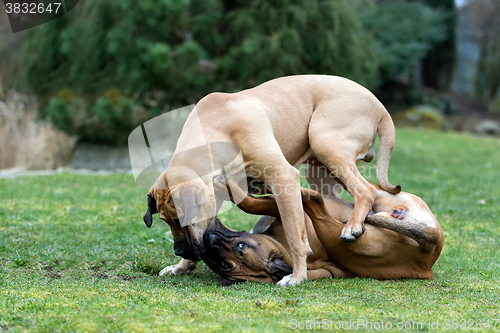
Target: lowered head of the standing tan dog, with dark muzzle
<point x="178" y="205"/>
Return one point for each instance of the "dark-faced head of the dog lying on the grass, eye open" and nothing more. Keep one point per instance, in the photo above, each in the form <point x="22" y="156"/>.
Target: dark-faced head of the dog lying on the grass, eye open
<point x="240" y="256"/>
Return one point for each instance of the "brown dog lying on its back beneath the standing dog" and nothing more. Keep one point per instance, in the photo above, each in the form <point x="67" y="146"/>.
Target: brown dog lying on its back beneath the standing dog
<point x="403" y="239"/>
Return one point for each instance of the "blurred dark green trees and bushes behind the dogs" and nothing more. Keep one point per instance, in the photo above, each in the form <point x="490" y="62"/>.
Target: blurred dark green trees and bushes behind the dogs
<point x="106" y="66"/>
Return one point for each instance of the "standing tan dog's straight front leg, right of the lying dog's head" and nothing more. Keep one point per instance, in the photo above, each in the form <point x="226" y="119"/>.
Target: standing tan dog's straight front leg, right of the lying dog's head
<point x="288" y="197"/>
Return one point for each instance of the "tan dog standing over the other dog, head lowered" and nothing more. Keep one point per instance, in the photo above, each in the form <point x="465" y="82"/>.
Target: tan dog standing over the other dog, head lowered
<point x="276" y="125"/>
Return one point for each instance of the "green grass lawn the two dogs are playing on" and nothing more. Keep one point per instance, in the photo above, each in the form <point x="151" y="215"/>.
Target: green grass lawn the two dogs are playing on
<point x="76" y="256"/>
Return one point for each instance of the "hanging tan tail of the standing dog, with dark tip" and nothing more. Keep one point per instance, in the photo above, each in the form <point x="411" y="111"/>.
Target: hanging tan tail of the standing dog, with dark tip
<point x="387" y="134"/>
